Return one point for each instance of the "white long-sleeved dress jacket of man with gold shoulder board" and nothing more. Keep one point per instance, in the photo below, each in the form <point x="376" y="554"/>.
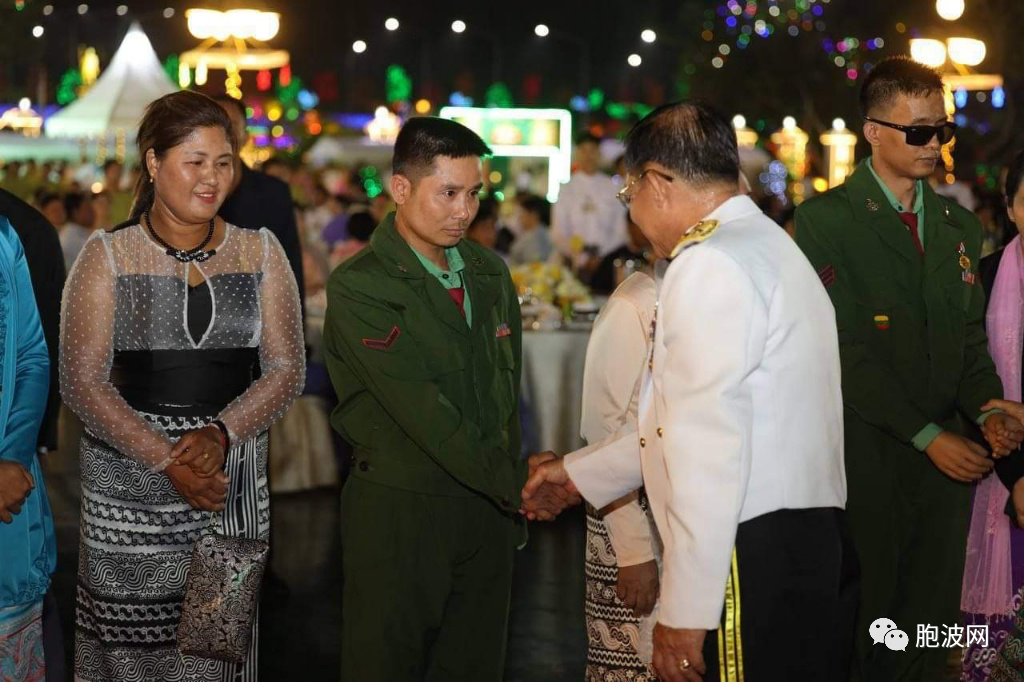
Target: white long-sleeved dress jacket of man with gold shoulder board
<point x="741" y="413"/>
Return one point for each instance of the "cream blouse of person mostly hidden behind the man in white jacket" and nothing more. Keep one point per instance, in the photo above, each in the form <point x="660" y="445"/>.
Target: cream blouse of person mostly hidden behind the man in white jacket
<point x="617" y="357"/>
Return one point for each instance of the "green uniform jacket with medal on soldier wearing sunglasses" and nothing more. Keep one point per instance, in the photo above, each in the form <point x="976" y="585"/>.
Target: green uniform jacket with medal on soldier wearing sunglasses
<point x="912" y="330"/>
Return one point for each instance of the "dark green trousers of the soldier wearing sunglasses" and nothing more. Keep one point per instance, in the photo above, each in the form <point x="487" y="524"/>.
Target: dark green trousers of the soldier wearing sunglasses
<point x="910" y="526"/>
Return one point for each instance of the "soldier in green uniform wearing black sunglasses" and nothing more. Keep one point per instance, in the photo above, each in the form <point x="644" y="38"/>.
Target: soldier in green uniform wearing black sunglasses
<point x="901" y="265"/>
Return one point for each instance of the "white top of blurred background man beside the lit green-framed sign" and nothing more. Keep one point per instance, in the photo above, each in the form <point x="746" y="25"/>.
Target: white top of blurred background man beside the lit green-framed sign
<point x="587" y="208"/>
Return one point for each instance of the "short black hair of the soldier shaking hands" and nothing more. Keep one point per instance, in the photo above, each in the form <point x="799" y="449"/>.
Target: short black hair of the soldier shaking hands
<point x="424" y="139"/>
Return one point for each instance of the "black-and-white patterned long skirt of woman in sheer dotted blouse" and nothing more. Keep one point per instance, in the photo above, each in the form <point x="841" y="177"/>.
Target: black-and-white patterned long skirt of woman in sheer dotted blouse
<point x="137" y="540"/>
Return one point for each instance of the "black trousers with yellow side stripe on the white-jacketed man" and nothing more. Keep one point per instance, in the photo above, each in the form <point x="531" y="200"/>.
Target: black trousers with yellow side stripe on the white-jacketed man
<point x="791" y="602"/>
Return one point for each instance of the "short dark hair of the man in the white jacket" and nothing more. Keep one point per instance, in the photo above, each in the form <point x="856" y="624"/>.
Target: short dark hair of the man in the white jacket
<point x="693" y="140"/>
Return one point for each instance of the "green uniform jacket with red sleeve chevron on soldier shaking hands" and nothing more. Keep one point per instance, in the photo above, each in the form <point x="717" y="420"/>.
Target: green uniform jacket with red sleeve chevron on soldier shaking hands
<point x="430" y="404"/>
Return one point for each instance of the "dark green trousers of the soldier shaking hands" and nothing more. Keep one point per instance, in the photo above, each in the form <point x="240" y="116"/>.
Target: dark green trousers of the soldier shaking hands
<point x="428" y="586"/>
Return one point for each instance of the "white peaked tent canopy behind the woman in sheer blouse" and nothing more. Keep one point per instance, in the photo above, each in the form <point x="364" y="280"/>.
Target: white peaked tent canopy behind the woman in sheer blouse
<point x="117" y="101"/>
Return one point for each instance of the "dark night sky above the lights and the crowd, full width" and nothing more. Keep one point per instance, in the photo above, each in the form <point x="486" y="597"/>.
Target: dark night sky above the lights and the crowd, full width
<point x="773" y="77"/>
